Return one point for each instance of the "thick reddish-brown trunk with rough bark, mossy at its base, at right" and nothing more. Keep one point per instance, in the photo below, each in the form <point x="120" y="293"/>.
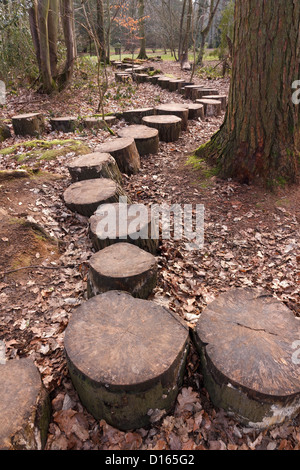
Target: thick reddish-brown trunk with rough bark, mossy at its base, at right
<point x="259" y="139"/>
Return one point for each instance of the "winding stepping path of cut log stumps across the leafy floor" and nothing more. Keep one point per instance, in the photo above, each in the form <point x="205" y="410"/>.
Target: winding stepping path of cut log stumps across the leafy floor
<point x="126" y="354"/>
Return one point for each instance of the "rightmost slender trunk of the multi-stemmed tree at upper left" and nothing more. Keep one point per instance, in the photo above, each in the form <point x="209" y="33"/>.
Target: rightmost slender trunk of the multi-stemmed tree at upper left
<point x="68" y="24"/>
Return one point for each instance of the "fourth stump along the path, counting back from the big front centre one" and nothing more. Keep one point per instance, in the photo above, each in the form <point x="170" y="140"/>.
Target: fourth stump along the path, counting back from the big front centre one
<point x="84" y="197"/>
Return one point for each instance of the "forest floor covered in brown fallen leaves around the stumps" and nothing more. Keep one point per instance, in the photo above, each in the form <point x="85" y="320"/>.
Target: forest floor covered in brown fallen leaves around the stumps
<point x="251" y="239"/>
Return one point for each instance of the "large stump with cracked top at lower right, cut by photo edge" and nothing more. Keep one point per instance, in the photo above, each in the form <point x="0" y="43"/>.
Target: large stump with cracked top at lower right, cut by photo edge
<point x="246" y="339"/>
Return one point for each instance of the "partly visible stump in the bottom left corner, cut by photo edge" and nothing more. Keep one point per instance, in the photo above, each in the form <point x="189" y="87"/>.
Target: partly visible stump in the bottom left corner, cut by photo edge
<point x="24" y="407"/>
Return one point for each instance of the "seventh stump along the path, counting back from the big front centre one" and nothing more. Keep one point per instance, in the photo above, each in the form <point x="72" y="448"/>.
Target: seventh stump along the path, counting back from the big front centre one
<point x="146" y="138"/>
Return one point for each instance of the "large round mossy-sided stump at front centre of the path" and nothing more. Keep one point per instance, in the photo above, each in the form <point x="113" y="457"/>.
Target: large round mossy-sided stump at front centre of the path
<point x="126" y="358"/>
